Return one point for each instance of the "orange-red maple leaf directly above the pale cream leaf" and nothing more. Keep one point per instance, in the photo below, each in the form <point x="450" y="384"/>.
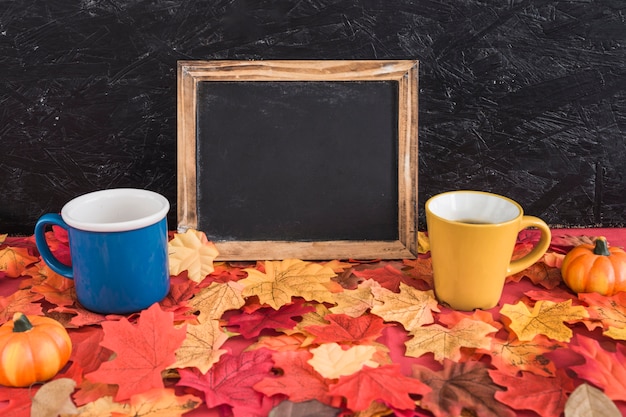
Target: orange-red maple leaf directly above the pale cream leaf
<point x="343" y="328"/>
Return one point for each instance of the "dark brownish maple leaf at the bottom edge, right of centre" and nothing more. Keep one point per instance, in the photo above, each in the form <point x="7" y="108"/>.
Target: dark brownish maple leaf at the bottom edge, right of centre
<point x="460" y="386"/>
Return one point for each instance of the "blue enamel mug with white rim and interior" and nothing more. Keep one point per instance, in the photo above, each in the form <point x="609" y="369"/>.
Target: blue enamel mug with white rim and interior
<point x="118" y="248"/>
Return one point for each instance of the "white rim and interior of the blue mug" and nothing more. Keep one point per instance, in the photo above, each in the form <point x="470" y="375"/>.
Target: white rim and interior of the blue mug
<point x="115" y="210"/>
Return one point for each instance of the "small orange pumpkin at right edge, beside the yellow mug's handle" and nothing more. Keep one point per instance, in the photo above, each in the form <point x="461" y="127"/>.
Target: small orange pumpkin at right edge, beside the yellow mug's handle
<point x="595" y="268"/>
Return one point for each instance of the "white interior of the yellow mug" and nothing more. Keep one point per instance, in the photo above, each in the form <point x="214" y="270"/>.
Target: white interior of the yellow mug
<point x="474" y="207"/>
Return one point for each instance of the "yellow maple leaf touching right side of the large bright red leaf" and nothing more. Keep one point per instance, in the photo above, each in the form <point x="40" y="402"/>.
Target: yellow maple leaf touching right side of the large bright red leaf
<point x="201" y="347"/>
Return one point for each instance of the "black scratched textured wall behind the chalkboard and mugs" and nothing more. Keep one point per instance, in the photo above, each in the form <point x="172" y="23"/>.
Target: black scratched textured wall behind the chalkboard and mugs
<point x="523" y="98"/>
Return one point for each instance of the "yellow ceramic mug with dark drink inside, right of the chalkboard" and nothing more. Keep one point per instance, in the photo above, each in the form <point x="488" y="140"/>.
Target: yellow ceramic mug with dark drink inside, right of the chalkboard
<point x="472" y="237"/>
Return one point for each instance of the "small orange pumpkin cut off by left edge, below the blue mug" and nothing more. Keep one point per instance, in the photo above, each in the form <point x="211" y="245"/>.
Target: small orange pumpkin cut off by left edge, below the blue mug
<point x="32" y="349"/>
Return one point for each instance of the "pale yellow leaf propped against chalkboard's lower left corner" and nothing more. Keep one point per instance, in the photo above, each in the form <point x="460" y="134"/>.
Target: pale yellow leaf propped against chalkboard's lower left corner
<point x="192" y="252"/>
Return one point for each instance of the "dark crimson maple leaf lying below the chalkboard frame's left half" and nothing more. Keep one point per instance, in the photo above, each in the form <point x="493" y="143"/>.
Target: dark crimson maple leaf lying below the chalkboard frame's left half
<point x="252" y="324"/>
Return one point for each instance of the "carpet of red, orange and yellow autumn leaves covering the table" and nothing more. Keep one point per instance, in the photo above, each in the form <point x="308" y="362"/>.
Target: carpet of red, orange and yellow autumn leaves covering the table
<point x="295" y="338"/>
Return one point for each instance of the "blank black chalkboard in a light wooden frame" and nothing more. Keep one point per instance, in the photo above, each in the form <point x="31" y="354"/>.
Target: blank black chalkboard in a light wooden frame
<point x="299" y="159"/>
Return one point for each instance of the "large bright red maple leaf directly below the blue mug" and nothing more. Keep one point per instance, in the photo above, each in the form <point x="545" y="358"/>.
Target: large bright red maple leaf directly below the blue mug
<point x="143" y="351"/>
